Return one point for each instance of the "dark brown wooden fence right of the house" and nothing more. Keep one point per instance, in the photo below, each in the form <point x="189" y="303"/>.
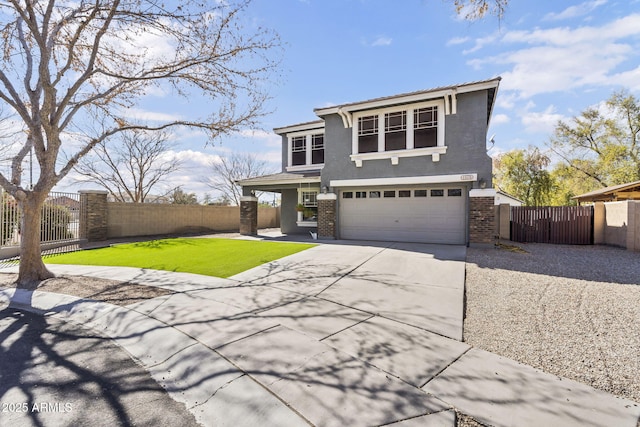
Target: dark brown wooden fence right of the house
<point x="571" y="225"/>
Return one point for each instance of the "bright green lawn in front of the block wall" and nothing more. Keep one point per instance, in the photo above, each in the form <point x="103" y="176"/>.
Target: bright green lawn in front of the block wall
<point x="211" y="257"/>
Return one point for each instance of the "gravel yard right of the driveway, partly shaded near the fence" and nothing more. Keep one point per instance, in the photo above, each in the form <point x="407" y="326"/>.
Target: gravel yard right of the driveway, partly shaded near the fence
<point x="572" y="311"/>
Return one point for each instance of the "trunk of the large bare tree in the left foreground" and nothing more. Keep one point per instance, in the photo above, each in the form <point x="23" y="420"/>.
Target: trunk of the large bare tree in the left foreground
<point x="32" y="270"/>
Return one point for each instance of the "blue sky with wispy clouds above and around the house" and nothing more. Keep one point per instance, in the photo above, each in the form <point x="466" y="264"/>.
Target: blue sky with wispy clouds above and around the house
<point x="556" y="58"/>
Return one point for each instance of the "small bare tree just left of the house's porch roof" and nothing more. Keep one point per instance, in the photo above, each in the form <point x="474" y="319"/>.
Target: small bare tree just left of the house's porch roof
<point x="225" y="171"/>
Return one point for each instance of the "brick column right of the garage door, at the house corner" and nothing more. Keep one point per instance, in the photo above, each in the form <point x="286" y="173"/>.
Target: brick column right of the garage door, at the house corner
<point x="482" y="217"/>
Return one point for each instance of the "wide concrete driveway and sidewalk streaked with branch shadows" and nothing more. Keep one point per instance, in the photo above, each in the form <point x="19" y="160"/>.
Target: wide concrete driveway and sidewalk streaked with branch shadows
<point x="357" y="334"/>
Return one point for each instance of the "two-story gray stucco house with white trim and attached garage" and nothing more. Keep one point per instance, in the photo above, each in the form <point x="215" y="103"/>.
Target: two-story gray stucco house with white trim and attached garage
<point x="399" y="168"/>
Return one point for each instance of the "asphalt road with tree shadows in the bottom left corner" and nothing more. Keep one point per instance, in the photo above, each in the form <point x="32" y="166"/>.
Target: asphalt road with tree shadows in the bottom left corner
<point x="54" y="373"/>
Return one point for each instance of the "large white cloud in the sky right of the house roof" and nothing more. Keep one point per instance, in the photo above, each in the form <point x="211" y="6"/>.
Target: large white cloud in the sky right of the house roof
<point x="561" y="59"/>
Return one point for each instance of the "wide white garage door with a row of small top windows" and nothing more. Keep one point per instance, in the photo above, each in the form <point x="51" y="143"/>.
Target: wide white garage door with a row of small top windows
<point x="427" y="215"/>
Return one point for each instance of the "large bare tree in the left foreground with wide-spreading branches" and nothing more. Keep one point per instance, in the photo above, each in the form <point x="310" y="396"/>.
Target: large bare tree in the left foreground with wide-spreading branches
<point x="72" y="69"/>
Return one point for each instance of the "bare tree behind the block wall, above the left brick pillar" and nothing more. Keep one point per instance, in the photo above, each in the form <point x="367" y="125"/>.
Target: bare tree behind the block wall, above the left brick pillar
<point x="130" y="168"/>
